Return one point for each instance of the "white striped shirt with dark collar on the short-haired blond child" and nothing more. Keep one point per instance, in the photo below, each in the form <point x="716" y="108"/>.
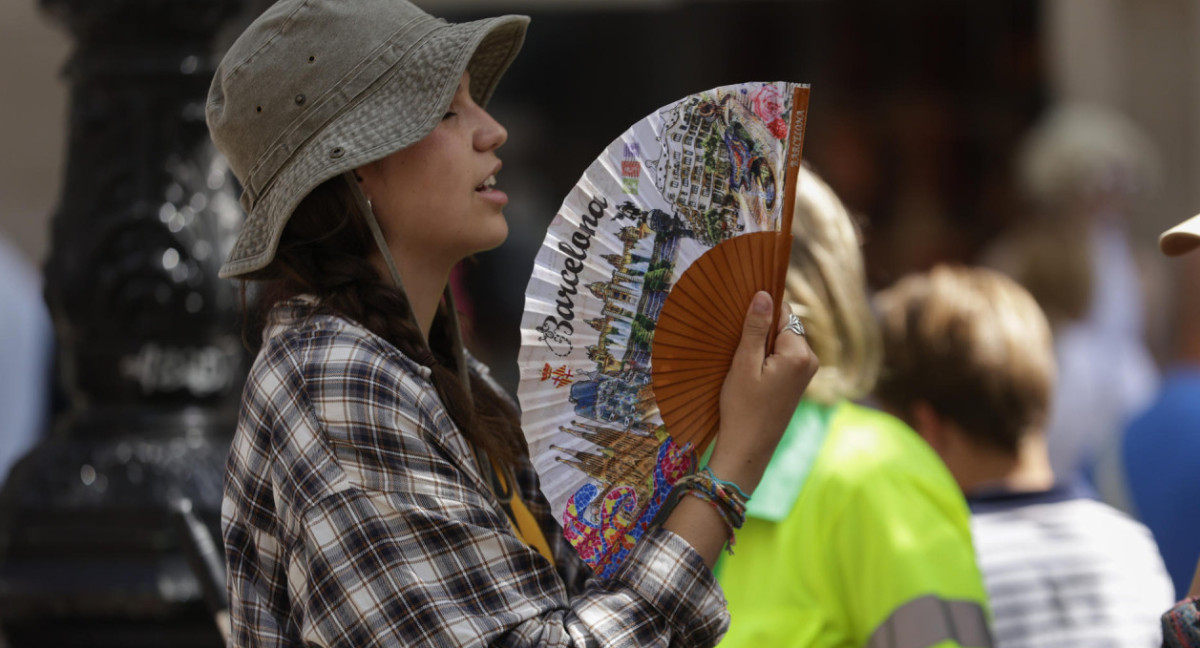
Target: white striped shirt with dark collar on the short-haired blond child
<point x="1065" y="571"/>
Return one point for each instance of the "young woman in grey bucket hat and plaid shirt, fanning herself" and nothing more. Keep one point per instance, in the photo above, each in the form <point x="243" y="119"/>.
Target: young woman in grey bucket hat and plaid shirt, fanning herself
<point x="379" y="489"/>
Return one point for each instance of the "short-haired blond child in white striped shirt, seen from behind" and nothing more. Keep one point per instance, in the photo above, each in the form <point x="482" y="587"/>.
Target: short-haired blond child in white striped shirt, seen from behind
<point x="970" y="365"/>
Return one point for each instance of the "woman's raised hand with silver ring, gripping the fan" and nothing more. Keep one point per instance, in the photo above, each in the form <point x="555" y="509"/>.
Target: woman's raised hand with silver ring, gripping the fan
<point x="760" y="395"/>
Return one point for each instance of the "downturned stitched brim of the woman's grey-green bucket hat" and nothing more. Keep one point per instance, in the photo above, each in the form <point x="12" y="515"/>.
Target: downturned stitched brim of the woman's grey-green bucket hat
<point x="371" y="128"/>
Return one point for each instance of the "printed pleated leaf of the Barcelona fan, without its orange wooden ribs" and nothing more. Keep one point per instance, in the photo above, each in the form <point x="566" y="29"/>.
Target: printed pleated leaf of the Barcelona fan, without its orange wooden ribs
<point x="682" y="182"/>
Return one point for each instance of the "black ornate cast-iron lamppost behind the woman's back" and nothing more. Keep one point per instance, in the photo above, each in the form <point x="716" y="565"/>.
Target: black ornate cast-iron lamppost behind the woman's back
<point x="149" y="357"/>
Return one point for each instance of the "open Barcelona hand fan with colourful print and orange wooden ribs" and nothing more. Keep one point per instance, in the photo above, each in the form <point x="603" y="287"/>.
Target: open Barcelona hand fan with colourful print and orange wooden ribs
<point x="638" y="299"/>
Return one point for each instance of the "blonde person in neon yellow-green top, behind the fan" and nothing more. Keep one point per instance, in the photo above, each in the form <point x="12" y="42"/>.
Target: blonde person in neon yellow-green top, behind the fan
<point x="857" y="535"/>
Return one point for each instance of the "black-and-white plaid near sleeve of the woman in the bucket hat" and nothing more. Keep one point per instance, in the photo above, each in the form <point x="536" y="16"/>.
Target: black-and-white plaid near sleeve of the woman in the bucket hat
<point x="410" y="549"/>
